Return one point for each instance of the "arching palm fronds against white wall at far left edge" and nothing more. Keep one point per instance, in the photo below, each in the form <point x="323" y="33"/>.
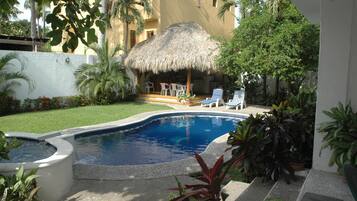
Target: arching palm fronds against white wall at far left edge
<point x="10" y="79"/>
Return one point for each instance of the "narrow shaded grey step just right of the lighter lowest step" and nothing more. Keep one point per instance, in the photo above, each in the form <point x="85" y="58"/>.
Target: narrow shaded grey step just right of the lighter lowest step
<point x="256" y="191"/>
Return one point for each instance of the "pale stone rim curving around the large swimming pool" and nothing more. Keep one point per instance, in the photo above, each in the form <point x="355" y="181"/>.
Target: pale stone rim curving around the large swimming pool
<point x="120" y="172"/>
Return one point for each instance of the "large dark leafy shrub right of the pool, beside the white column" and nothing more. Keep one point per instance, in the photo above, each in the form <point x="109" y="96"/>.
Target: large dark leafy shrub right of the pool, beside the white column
<point x="273" y="142"/>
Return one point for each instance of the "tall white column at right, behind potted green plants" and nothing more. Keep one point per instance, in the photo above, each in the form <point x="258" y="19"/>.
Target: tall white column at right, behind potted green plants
<point x="337" y="71"/>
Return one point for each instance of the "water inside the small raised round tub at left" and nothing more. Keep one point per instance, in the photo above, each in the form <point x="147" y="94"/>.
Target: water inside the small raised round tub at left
<point x="29" y="151"/>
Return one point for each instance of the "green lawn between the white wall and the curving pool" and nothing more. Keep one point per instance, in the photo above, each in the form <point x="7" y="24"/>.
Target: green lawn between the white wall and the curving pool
<point x="46" y="121"/>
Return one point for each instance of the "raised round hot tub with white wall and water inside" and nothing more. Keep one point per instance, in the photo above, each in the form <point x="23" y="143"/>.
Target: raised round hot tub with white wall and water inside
<point x="51" y="157"/>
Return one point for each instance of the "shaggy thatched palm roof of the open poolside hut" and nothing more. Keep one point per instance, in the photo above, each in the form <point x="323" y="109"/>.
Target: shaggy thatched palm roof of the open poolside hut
<point x="180" y="46"/>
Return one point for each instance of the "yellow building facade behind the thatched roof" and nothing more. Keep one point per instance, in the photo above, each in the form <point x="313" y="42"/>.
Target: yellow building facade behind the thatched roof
<point x="166" y="13"/>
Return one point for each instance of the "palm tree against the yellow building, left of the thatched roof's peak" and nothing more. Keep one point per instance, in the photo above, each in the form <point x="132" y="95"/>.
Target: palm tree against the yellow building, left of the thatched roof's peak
<point x="128" y="11"/>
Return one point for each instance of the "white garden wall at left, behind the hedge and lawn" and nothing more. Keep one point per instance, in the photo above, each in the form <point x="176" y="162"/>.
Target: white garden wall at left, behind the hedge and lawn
<point x="50" y="73"/>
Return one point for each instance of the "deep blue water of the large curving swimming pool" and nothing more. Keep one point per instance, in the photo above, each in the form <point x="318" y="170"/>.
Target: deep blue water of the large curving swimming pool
<point x="162" y="139"/>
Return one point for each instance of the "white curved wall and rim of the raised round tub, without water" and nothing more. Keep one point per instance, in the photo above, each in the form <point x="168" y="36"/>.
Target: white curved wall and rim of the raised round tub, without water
<point x="55" y="172"/>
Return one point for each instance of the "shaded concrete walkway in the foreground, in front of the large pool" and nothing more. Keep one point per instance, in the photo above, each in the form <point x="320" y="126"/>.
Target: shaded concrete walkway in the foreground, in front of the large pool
<point x="126" y="190"/>
